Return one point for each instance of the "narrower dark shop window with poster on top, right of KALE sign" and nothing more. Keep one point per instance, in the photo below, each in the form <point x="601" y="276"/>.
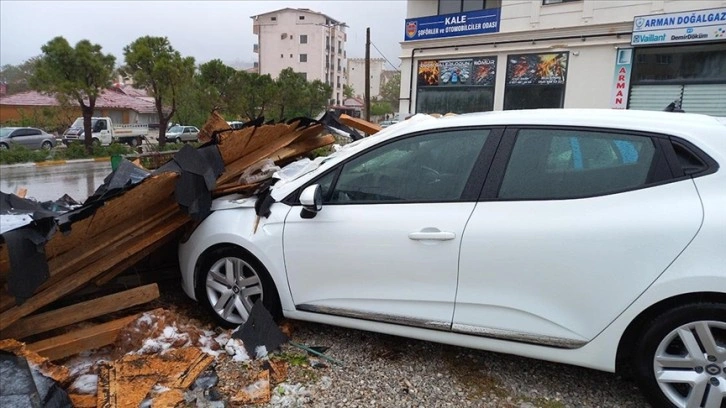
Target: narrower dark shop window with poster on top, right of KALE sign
<point x="535" y="81"/>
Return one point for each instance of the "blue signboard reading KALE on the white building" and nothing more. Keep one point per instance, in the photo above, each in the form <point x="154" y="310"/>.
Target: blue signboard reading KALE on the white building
<point x="452" y="25"/>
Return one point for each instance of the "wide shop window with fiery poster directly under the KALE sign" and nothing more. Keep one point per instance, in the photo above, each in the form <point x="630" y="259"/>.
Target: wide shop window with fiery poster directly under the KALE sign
<point x="457" y="86"/>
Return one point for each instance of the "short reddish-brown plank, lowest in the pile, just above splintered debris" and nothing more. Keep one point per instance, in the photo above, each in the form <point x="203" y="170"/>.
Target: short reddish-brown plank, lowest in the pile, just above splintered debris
<point x="77" y="341"/>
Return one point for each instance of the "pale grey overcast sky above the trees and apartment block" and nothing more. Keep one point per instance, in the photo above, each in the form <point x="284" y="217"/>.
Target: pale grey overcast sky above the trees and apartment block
<point x="203" y="29"/>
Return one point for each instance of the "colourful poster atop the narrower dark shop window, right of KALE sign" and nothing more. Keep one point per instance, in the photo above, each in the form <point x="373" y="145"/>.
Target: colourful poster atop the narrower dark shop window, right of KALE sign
<point x="537" y="69"/>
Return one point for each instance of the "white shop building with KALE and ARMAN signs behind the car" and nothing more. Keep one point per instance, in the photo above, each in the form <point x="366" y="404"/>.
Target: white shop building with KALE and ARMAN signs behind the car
<point x="479" y="55"/>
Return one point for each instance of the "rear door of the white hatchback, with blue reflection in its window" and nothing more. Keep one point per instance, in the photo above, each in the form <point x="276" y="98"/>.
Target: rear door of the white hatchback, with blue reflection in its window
<point x="573" y="226"/>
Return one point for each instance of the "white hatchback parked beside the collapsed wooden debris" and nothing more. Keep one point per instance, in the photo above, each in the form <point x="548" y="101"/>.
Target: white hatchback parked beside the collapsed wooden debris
<point x="588" y="237"/>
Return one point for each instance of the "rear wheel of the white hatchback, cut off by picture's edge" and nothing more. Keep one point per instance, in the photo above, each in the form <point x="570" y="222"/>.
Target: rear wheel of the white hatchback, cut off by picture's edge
<point x="680" y="360"/>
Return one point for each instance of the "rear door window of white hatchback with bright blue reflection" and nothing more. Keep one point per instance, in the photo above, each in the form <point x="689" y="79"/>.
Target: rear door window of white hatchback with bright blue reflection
<point x="552" y="164"/>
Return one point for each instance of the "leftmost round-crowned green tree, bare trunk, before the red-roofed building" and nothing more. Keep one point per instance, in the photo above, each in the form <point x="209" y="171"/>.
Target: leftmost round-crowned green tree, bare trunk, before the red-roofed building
<point x="77" y="74"/>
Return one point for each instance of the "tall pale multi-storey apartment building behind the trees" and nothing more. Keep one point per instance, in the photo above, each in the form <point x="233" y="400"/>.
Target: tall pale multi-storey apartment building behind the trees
<point x="311" y="43"/>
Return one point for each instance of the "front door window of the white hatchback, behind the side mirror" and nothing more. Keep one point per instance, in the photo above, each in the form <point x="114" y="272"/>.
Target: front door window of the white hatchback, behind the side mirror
<point x="429" y="167"/>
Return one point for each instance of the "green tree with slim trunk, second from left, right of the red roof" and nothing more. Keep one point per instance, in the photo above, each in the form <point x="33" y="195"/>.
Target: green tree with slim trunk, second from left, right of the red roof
<point x="155" y="65"/>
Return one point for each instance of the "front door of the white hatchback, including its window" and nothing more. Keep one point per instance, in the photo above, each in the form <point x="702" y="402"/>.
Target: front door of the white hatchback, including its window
<point x="385" y="245"/>
